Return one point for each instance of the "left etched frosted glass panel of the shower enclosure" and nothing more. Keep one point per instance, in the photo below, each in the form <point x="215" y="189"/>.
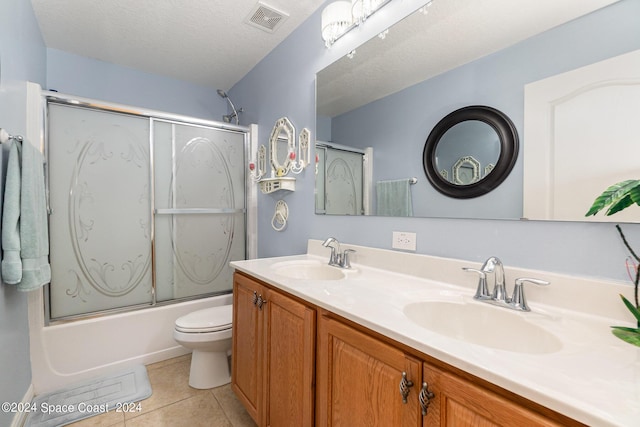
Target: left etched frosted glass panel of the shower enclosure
<point x="100" y="210"/>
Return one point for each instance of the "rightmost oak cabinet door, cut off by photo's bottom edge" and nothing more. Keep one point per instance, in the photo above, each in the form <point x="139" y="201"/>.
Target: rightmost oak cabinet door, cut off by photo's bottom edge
<point x="461" y="403"/>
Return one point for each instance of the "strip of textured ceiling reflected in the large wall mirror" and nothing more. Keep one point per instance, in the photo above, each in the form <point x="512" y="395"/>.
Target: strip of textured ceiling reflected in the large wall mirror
<point x="452" y="33"/>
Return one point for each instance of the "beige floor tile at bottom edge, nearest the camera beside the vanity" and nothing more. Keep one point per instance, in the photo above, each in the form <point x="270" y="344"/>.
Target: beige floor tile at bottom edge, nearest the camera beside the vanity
<point x="200" y="410"/>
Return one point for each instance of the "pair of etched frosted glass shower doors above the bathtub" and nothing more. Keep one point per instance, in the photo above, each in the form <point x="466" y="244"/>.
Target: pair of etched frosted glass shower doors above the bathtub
<point x="143" y="209"/>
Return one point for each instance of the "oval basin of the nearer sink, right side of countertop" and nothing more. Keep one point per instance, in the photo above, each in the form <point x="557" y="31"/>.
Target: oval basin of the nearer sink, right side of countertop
<point x="483" y="324"/>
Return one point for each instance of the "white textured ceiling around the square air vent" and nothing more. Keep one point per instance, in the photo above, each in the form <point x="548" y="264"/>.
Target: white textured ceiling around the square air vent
<point x="206" y="42"/>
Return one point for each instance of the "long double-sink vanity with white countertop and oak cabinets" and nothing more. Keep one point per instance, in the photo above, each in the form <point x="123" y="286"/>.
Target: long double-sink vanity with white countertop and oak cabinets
<point x="315" y="344"/>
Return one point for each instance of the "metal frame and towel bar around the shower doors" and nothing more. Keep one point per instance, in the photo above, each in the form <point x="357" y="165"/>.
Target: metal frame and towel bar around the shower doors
<point x="152" y="116"/>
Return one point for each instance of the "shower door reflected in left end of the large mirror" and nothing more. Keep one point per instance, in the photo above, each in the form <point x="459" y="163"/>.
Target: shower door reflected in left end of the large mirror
<point x="341" y="186"/>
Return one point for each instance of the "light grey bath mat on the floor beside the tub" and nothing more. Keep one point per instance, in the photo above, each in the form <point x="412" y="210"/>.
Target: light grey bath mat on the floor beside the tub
<point x="115" y="392"/>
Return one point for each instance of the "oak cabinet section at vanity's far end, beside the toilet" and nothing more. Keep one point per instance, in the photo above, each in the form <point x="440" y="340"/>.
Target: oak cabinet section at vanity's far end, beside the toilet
<point x="273" y="354"/>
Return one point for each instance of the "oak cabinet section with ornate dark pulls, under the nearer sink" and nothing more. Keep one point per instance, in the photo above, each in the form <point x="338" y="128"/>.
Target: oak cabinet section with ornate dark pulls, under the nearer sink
<point x="358" y="384"/>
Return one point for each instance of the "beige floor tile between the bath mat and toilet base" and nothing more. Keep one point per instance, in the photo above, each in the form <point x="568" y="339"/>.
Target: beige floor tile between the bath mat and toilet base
<point x="169" y="384"/>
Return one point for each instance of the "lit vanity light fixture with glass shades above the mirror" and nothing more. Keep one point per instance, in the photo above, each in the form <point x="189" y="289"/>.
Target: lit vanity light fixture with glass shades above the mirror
<point x="339" y="17"/>
